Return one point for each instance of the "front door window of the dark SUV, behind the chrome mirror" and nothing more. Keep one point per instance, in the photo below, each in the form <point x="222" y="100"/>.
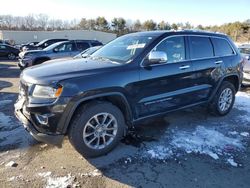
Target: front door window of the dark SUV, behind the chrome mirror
<point x="174" y="47"/>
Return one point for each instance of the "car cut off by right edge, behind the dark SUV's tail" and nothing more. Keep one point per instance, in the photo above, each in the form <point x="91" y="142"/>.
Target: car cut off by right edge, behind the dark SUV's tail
<point x="245" y="51"/>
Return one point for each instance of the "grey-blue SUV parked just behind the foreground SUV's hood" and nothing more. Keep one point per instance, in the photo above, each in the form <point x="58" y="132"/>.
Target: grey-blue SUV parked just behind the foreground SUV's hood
<point x="57" y="50"/>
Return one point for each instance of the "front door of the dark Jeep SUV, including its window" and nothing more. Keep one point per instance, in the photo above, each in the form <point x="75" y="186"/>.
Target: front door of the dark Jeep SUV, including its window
<point x="169" y="85"/>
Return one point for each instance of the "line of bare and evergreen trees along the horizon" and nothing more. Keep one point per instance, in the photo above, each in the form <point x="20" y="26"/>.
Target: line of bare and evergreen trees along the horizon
<point x="239" y="31"/>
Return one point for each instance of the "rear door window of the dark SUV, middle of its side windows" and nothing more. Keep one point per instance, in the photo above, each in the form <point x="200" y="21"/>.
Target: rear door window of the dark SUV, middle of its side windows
<point x="201" y="47"/>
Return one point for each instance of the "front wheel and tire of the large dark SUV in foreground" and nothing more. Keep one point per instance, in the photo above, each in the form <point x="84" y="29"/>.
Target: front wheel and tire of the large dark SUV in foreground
<point x="81" y="134"/>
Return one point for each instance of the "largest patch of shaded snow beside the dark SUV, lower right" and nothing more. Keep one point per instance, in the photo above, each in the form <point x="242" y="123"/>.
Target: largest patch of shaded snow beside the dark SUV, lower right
<point x="202" y="140"/>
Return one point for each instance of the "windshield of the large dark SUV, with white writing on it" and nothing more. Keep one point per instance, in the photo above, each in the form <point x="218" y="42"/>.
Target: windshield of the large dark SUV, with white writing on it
<point x="123" y="49"/>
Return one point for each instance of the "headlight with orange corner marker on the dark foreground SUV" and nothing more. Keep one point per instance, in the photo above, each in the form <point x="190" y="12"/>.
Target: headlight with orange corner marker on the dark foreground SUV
<point x="46" y="92"/>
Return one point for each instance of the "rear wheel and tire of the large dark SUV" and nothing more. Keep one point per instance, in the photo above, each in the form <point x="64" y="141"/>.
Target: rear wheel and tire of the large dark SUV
<point x="216" y="106"/>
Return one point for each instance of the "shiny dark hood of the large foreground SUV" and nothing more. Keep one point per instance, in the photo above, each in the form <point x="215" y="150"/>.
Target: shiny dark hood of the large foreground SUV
<point x="61" y="69"/>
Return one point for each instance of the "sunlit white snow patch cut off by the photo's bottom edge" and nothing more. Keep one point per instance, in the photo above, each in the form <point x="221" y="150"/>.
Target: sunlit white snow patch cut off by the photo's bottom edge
<point x="60" y="182"/>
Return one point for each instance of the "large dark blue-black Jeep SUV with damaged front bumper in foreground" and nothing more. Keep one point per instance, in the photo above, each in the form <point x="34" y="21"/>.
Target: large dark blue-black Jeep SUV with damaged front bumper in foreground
<point x="137" y="76"/>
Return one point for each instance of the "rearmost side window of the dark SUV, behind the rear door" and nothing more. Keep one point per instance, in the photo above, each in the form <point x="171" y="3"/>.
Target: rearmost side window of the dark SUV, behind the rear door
<point x="222" y="47"/>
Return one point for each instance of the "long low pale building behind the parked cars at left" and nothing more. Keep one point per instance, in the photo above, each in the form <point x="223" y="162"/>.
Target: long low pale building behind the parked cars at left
<point x="20" y="37"/>
